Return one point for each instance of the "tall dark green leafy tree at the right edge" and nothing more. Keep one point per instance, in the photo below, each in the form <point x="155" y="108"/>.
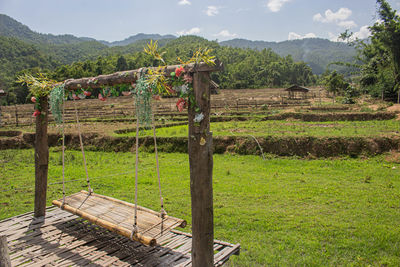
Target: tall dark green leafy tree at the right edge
<point x="380" y="55"/>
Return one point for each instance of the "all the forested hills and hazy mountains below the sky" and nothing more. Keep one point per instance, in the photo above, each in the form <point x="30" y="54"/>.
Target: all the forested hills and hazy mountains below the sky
<point x="247" y="64"/>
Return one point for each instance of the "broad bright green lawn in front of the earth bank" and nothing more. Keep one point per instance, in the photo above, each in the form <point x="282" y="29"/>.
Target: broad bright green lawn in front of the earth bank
<point x="283" y="211"/>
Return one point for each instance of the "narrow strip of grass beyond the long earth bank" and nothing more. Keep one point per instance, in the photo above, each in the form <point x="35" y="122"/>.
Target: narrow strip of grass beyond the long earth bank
<point x="289" y="128"/>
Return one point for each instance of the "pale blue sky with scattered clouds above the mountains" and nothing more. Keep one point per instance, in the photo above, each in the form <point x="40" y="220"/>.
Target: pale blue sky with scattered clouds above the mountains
<point x="268" y="20"/>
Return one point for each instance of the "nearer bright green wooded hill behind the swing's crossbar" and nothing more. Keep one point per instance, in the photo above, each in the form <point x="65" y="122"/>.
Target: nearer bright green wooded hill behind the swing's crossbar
<point x="244" y="68"/>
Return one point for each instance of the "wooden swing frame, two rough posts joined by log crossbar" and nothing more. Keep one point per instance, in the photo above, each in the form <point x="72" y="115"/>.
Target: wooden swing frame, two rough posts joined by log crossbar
<point x="199" y="149"/>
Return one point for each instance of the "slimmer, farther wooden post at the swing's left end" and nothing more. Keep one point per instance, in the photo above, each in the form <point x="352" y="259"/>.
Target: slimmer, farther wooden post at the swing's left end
<point x="41" y="159"/>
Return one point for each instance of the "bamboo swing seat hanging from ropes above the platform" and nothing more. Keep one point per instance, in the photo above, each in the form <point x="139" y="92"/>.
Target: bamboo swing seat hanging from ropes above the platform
<point x="118" y="216"/>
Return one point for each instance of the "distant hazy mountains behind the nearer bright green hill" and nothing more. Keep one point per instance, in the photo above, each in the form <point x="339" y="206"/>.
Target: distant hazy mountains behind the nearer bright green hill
<point x="318" y="53"/>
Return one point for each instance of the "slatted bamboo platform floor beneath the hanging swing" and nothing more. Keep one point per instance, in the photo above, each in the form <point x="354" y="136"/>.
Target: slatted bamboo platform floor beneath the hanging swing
<point x="64" y="239"/>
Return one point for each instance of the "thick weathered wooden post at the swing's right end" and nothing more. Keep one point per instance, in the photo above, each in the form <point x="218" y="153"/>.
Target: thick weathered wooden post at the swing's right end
<point x="201" y="165"/>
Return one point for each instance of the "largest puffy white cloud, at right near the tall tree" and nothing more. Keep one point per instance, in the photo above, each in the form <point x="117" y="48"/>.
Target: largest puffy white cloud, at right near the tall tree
<point x="339" y="18"/>
